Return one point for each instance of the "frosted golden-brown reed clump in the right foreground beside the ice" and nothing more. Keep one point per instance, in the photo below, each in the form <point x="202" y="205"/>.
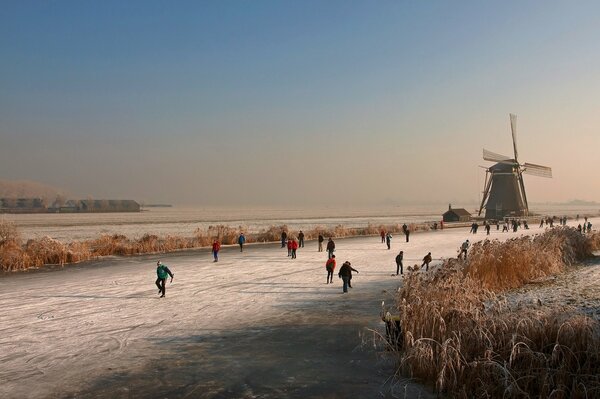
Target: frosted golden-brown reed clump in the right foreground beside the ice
<point x="461" y="334"/>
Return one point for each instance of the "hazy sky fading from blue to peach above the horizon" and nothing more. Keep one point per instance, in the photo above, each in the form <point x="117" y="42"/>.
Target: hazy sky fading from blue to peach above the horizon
<point x="298" y="102"/>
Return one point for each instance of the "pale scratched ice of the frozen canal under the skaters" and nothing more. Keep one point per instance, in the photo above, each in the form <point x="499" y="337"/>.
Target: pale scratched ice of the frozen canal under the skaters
<point x="255" y="324"/>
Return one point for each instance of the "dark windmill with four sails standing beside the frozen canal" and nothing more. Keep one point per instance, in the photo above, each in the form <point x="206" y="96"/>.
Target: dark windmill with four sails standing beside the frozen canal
<point x="504" y="191"/>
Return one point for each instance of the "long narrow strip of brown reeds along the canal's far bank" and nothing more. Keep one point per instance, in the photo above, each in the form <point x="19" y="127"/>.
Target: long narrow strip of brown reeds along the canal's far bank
<point x="16" y="255"/>
